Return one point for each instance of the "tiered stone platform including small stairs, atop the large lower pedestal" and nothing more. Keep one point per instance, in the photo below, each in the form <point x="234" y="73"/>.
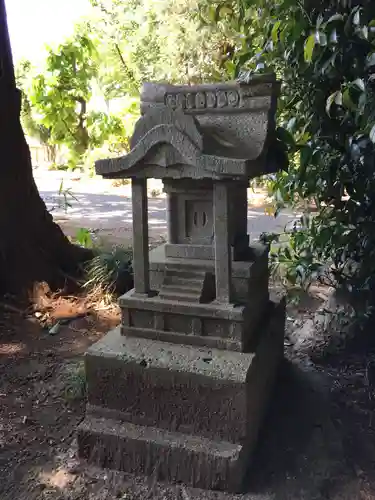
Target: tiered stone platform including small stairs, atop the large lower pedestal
<point x="177" y="310"/>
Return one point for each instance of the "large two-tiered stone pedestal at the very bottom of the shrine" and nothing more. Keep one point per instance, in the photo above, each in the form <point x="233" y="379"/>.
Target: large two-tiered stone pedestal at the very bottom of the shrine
<point x="181" y="412"/>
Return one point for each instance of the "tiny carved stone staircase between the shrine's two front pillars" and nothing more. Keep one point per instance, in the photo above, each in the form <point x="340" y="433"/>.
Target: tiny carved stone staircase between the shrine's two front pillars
<point x="186" y="283"/>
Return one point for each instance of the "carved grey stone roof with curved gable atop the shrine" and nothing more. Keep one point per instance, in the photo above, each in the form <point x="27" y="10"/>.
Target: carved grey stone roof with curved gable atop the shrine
<point x="205" y="131"/>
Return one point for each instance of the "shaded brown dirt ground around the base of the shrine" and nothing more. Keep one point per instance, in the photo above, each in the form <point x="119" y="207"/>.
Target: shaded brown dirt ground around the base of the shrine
<point x="318" y="441"/>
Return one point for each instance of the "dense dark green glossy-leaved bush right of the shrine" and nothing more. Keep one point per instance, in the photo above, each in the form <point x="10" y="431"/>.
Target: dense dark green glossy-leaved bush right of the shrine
<point x="324" y="53"/>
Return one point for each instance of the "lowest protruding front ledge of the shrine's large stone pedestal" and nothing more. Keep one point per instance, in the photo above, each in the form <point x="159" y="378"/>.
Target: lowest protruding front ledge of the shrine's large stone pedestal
<point x="167" y="456"/>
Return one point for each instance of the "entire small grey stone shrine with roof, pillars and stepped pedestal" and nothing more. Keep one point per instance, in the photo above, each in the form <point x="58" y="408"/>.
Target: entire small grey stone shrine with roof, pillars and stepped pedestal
<point x="179" y="390"/>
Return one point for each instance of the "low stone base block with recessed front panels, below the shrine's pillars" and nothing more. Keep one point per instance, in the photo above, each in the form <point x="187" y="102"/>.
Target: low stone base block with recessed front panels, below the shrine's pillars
<point x="215" y="325"/>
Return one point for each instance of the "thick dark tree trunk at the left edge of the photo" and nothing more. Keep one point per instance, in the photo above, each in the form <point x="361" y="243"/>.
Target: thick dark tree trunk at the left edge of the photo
<point x="32" y="247"/>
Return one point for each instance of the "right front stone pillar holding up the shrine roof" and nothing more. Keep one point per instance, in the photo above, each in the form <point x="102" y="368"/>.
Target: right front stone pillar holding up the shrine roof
<point x="223" y="260"/>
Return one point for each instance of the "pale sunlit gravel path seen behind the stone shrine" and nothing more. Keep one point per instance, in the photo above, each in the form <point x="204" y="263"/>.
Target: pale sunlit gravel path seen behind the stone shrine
<point x="99" y="206"/>
